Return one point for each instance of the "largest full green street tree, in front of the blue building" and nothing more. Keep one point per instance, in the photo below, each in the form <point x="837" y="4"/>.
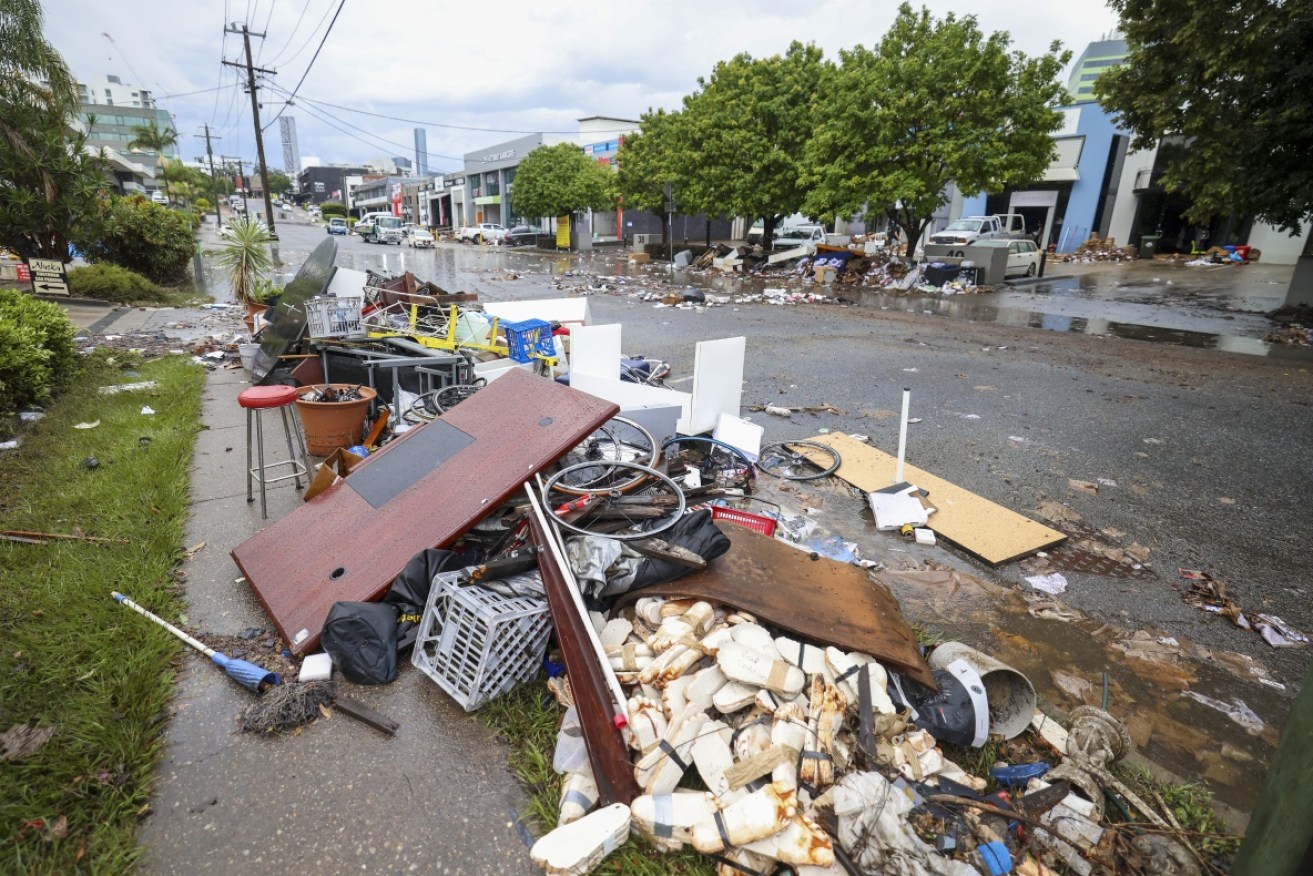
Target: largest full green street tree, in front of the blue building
<point x="934" y="103"/>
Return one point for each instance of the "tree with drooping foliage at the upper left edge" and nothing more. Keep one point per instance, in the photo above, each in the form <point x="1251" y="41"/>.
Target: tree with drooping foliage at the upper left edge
<point x="49" y="179"/>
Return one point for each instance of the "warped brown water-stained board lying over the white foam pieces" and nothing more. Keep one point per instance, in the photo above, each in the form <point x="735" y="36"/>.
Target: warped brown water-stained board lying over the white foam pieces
<point x="828" y="602"/>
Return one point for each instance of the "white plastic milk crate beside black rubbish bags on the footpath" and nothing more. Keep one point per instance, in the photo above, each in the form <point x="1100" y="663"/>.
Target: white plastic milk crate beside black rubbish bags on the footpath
<point x="479" y="644"/>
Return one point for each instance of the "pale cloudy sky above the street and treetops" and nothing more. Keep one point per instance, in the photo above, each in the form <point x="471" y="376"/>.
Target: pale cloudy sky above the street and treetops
<point x="472" y="68"/>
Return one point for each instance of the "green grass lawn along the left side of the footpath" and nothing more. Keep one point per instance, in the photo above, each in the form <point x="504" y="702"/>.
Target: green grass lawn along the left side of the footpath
<point x="70" y="657"/>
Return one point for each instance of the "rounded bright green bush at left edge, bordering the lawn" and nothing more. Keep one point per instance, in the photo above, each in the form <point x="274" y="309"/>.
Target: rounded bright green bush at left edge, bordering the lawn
<point x="37" y="353"/>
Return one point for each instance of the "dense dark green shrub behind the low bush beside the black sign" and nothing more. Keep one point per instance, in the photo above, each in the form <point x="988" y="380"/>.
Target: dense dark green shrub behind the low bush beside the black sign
<point x="136" y="234"/>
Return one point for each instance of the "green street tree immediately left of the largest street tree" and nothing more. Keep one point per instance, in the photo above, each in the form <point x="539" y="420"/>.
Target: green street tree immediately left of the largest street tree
<point x="744" y="133"/>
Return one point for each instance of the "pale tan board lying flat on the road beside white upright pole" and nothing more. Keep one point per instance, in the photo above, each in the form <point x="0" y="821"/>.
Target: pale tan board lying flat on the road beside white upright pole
<point x="971" y="522"/>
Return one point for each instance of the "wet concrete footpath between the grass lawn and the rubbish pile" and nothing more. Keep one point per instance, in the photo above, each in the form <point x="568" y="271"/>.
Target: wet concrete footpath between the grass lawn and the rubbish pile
<point x="438" y="798"/>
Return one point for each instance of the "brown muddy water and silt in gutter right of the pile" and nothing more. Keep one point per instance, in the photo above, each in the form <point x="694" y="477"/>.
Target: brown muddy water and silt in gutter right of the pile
<point x="1181" y="735"/>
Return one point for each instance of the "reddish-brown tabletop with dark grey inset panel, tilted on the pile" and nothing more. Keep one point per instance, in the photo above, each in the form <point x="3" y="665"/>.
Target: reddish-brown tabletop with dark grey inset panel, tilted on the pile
<point x="341" y="547"/>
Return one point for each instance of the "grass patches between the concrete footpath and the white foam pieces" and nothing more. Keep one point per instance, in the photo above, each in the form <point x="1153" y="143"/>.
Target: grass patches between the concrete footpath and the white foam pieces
<point x="528" y="718"/>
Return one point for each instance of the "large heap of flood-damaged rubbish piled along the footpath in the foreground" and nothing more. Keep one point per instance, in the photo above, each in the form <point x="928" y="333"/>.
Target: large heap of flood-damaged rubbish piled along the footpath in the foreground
<point x="522" y="500"/>
